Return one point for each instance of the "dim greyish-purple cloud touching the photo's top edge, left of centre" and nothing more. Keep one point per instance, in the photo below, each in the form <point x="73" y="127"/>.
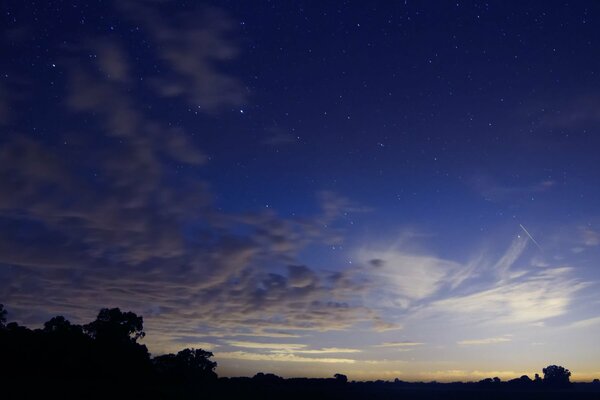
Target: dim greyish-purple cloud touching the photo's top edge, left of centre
<point x="193" y="48"/>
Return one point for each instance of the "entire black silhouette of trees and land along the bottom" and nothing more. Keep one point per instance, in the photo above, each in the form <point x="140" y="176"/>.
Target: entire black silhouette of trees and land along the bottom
<point x="104" y="359"/>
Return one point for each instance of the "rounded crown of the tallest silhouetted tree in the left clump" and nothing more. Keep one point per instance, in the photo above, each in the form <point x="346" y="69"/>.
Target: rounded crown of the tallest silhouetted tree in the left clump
<point x="115" y="326"/>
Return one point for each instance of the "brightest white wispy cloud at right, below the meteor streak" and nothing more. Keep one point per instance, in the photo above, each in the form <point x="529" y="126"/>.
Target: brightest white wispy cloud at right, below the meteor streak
<point x="417" y="287"/>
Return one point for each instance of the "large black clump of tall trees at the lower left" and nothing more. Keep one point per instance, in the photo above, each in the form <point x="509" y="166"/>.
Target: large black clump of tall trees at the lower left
<point x="104" y="355"/>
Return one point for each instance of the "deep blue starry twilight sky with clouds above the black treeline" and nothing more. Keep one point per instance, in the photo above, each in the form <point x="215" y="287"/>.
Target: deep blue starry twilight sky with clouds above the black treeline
<point x="403" y="189"/>
